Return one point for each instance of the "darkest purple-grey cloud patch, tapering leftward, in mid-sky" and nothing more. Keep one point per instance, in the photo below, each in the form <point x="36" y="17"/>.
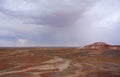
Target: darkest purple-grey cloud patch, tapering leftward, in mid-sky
<point x="57" y="19"/>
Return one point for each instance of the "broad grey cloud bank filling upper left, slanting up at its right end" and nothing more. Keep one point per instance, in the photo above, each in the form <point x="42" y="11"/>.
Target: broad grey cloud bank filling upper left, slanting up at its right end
<point x="54" y="13"/>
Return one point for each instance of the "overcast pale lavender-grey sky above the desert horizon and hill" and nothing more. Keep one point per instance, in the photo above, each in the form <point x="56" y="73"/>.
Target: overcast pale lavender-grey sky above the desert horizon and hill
<point x="51" y="23"/>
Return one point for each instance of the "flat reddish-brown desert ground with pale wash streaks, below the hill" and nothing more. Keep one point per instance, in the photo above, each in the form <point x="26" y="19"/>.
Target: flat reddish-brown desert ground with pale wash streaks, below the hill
<point x="59" y="62"/>
